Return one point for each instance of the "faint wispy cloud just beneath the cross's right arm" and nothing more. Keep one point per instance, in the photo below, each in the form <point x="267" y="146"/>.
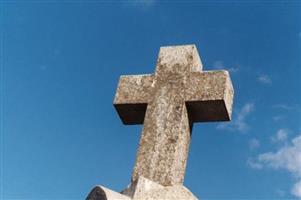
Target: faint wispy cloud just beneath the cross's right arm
<point x="239" y="121"/>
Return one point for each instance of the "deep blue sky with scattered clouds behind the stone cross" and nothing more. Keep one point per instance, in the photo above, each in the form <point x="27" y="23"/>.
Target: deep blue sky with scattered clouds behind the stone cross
<point x="60" y="64"/>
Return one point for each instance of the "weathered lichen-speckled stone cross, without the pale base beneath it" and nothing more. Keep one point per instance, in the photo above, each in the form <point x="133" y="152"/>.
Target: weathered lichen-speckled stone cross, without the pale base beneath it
<point x="167" y="103"/>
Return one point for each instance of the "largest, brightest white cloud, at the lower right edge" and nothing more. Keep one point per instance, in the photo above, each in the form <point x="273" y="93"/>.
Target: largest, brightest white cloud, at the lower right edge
<point x="288" y="157"/>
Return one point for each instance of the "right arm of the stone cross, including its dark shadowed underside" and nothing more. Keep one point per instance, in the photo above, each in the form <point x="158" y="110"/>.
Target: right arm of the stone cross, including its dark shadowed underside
<point x="209" y="96"/>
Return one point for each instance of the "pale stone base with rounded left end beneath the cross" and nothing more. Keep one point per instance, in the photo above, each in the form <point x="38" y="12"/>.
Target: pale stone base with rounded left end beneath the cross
<point x="142" y="189"/>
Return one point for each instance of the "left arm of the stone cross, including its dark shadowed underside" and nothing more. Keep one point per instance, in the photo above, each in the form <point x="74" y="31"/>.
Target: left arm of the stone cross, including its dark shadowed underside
<point x="132" y="96"/>
